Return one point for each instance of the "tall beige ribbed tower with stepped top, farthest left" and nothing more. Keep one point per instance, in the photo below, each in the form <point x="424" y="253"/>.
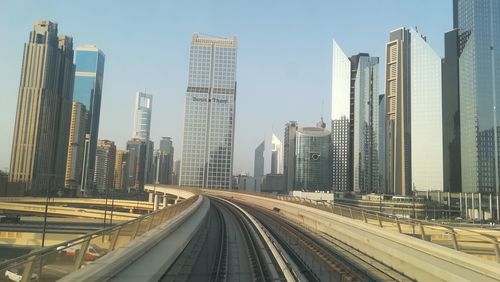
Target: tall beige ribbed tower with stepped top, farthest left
<point x="41" y="130"/>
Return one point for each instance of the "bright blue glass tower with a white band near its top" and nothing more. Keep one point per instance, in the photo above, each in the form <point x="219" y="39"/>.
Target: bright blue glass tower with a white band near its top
<point x="88" y="91"/>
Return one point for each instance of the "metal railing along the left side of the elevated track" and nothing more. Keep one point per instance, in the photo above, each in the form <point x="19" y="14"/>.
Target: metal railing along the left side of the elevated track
<point x="54" y="262"/>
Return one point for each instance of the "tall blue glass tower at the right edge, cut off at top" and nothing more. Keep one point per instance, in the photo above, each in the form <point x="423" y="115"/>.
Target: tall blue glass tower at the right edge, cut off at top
<point x="478" y="31"/>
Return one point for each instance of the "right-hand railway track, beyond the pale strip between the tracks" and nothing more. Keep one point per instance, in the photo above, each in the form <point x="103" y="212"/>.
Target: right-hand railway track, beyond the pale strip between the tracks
<point x="336" y="261"/>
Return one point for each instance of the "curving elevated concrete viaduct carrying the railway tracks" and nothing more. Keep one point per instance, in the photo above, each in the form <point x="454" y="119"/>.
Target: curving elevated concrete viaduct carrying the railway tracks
<point x="223" y="235"/>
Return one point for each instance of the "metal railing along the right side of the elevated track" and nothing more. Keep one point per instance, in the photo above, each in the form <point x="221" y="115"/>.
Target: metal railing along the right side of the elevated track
<point x="484" y="243"/>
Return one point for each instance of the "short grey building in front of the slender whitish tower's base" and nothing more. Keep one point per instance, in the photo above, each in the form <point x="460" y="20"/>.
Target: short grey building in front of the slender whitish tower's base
<point x="137" y="159"/>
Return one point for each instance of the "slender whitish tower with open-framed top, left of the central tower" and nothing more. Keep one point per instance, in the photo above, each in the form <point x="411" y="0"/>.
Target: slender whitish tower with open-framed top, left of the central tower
<point x="142" y="127"/>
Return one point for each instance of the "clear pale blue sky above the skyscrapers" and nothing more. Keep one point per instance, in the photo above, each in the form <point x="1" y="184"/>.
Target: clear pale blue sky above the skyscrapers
<point x="284" y="56"/>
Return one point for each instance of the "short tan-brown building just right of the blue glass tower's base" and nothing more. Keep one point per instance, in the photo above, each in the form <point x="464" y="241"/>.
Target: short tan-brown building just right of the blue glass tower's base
<point x="104" y="165"/>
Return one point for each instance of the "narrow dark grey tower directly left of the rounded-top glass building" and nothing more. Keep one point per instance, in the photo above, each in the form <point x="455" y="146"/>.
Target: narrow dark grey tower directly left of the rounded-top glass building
<point x="289" y="155"/>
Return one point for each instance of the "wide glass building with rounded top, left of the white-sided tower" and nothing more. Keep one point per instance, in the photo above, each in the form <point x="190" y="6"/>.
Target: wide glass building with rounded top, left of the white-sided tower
<point x="313" y="159"/>
